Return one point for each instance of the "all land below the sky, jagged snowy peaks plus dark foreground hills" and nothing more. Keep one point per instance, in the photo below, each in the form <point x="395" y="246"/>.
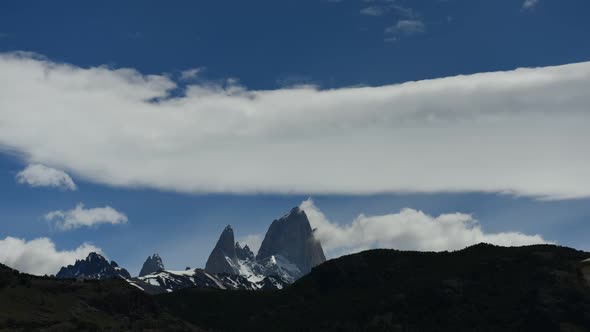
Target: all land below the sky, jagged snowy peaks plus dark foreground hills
<point x="288" y="286"/>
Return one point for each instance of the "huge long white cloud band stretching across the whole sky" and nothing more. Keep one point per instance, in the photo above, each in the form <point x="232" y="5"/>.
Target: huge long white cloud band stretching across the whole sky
<point x="523" y="131"/>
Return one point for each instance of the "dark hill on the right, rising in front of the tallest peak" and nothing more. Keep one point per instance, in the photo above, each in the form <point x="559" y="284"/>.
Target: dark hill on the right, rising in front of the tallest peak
<point x="480" y="288"/>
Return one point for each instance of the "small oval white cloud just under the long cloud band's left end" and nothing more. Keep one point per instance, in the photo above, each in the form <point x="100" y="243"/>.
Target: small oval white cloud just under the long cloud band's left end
<point x="42" y="176"/>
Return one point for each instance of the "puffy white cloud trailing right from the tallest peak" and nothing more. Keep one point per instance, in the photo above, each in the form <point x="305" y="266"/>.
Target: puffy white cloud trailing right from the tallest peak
<point x="407" y="230"/>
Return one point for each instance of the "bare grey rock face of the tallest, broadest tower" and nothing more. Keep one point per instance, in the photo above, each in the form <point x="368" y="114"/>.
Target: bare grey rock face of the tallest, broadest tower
<point x="292" y="238"/>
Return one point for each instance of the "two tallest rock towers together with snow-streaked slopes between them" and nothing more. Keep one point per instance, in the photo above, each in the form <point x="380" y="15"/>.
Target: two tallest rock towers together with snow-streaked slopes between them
<point x="289" y="250"/>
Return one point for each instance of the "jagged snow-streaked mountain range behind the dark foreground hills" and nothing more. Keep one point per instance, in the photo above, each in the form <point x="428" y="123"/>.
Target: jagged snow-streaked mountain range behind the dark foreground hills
<point x="289" y="251"/>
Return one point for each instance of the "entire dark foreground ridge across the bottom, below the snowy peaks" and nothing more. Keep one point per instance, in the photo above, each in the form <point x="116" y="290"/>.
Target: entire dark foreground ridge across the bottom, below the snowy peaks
<point x="480" y="288"/>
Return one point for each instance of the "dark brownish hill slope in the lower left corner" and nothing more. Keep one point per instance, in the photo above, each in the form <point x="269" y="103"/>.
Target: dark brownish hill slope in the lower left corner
<point x="30" y="303"/>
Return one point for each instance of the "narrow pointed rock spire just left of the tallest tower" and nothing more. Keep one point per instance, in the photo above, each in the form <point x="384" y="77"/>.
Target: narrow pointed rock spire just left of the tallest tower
<point x="223" y="258"/>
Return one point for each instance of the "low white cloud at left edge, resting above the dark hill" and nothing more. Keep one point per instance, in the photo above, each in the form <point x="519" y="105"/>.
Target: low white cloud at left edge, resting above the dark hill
<point x="39" y="256"/>
